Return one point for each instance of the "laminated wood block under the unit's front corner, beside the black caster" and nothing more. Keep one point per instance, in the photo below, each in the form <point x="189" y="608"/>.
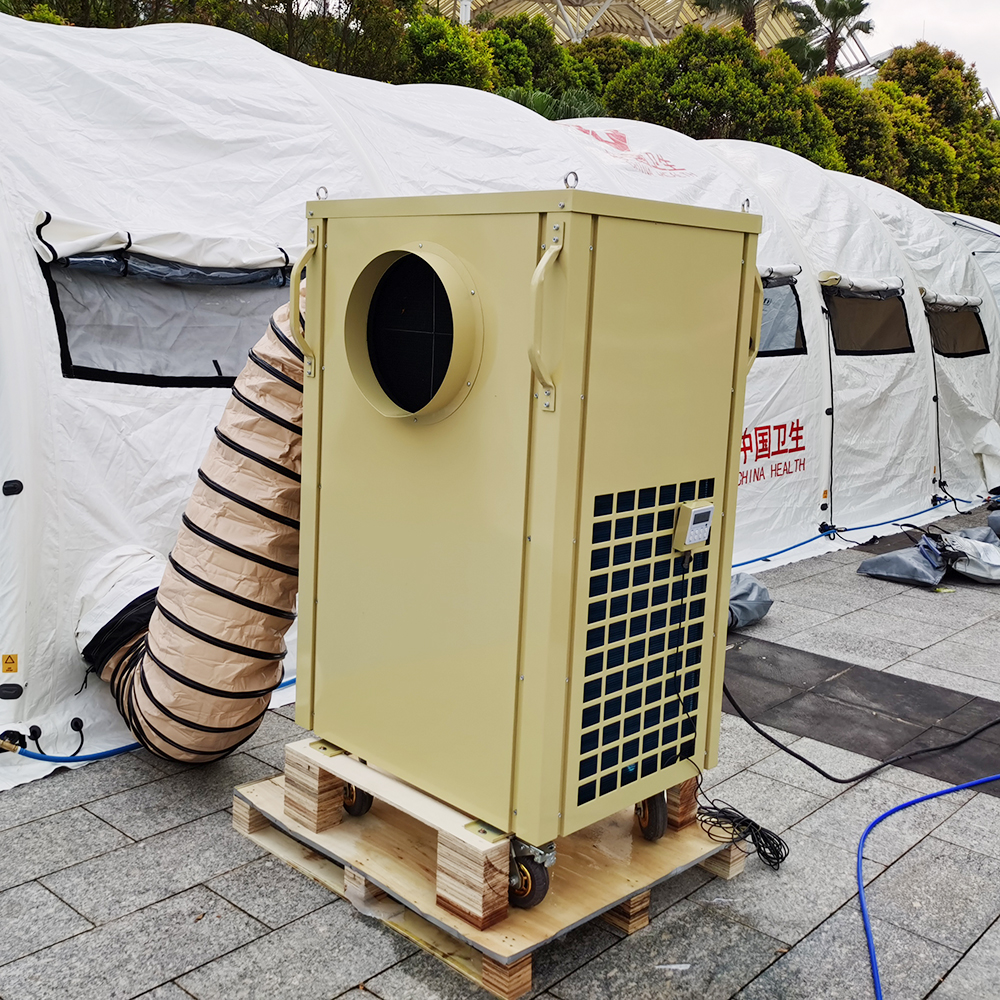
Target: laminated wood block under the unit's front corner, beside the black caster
<point x="472" y="883"/>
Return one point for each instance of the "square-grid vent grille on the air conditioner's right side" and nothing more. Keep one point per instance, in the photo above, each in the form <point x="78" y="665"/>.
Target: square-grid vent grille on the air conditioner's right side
<point x="646" y="622"/>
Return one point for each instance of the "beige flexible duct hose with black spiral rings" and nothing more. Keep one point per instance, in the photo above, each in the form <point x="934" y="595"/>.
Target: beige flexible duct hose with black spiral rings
<point x="197" y="683"/>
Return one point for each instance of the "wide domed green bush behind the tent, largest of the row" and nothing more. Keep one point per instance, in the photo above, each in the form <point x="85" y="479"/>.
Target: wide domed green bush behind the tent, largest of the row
<point x="717" y="85"/>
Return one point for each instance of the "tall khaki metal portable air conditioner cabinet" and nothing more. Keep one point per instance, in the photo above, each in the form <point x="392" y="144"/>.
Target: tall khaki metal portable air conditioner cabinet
<point x="522" y="431"/>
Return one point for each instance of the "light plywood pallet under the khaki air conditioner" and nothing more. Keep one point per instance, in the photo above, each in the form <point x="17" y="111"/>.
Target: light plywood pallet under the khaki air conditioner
<point x="390" y="857"/>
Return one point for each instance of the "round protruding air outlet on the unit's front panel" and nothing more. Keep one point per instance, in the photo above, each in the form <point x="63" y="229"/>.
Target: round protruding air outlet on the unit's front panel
<point x="414" y="333"/>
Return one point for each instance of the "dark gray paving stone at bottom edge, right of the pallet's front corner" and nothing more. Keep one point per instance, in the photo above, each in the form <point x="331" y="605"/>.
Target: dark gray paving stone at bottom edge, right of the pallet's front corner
<point x="723" y="955"/>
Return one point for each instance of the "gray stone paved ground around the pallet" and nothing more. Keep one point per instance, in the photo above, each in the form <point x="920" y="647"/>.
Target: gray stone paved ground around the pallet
<point x="124" y="879"/>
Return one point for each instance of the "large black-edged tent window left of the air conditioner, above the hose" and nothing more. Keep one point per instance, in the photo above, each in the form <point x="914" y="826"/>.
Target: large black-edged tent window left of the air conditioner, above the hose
<point x="179" y="326"/>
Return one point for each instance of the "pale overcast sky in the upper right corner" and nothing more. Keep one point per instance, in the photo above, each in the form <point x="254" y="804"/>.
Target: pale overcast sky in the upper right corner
<point x="970" y="27"/>
